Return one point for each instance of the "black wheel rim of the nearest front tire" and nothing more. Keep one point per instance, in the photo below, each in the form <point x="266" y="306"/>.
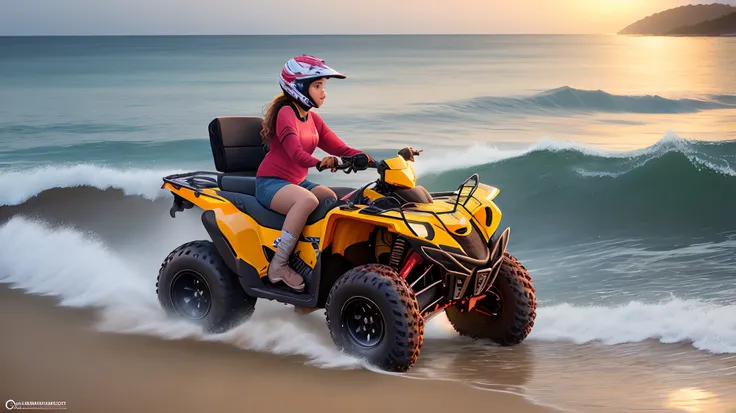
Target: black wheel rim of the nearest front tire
<point x="364" y="321"/>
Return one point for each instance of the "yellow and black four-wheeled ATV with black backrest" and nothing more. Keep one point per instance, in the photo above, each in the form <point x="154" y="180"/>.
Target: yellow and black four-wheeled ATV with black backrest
<point x="382" y="259"/>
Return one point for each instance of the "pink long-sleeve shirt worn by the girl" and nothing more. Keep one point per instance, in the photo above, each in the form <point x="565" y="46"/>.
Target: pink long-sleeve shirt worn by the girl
<point x="290" y="150"/>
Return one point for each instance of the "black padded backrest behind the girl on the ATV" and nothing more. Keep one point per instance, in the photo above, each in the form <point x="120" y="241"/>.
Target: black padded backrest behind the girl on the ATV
<point x="236" y="143"/>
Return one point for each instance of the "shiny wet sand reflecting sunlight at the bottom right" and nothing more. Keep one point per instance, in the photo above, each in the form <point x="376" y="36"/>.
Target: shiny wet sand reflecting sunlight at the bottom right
<point x="592" y="377"/>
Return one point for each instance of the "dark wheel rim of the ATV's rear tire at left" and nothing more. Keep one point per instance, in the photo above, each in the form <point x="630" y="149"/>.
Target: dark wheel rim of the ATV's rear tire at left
<point x="190" y="295"/>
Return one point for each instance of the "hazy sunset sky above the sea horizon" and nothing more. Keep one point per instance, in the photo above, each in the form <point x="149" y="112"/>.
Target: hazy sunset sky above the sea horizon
<point x="32" y="17"/>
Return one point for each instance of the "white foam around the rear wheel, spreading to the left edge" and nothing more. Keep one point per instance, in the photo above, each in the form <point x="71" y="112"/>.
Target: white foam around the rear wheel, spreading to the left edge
<point x="81" y="272"/>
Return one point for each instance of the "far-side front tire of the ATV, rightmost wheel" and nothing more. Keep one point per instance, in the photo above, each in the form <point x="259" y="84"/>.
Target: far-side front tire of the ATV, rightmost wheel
<point x="513" y="314"/>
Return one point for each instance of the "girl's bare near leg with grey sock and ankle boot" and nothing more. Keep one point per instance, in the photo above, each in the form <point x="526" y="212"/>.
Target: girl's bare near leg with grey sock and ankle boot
<point x="296" y="203"/>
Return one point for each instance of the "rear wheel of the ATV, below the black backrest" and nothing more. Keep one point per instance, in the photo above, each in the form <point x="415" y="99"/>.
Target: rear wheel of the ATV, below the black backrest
<point x="195" y="284"/>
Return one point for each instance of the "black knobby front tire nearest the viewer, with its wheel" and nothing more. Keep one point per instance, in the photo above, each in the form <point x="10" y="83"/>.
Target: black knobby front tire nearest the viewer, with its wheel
<point x="372" y="314"/>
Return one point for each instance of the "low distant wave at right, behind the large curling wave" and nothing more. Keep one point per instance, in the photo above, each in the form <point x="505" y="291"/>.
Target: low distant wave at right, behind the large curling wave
<point x="568" y="99"/>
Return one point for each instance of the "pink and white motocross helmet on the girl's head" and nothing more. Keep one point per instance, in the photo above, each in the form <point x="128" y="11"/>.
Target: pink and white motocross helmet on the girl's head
<point x="298" y="73"/>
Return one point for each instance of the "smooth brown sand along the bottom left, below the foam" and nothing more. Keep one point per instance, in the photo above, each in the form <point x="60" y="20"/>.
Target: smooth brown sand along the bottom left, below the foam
<point x="52" y="353"/>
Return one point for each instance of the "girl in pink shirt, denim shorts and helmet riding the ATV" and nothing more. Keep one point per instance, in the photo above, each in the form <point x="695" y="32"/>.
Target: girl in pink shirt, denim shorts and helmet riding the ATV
<point x="293" y="133"/>
